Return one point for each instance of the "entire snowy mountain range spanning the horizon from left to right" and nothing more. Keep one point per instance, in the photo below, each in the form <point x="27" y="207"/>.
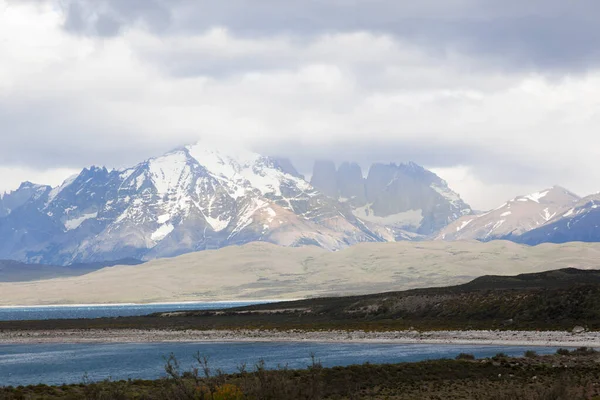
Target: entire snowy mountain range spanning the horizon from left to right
<point x="202" y="197"/>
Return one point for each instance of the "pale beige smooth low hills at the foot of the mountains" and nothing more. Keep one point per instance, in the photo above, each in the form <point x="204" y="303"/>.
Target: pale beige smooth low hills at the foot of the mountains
<point x="266" y="271"/>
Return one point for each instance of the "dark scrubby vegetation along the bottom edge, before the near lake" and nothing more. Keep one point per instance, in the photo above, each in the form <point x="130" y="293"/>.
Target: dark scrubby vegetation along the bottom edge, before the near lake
<point x="568" y="375"/>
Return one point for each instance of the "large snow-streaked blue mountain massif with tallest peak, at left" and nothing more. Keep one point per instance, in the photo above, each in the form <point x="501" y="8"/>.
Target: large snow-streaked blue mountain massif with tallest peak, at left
<point x="190" y="199"/>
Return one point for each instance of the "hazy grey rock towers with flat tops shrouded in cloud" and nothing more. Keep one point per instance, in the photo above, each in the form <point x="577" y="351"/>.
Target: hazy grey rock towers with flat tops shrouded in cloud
<point x="407" y="199"/>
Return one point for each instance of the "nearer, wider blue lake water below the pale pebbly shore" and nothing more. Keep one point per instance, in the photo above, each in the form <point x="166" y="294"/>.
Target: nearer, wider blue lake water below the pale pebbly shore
<point x="68" y="363"/>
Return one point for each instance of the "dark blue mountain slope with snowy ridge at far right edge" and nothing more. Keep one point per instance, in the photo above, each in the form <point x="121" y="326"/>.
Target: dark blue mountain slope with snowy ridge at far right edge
<point x="581" y="222"/>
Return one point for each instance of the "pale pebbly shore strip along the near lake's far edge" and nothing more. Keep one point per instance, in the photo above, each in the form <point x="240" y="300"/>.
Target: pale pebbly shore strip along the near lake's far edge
<point x="506" y="338"/>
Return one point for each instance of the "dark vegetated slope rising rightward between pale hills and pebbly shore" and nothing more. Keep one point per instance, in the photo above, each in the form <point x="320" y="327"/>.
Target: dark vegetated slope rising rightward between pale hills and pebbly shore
<point x="554" y="300"/>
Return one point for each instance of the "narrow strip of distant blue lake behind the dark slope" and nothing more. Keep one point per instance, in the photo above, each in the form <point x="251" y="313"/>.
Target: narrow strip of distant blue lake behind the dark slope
<point x="114" y="310"/>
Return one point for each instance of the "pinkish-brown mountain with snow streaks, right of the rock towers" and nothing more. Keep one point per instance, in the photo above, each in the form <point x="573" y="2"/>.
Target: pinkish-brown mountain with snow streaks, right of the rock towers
<point x="513" y="218"/>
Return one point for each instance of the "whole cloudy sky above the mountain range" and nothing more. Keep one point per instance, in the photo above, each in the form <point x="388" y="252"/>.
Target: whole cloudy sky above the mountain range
<point x="498" y="98"/>
